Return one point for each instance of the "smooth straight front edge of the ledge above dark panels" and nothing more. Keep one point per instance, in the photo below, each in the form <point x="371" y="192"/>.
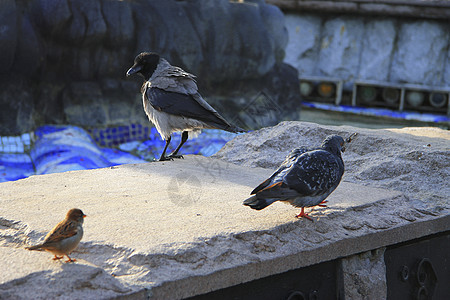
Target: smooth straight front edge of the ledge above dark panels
<point x="201" y="284"/>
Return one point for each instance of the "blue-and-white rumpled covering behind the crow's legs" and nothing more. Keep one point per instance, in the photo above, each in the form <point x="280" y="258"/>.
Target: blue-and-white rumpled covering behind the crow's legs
<point x="69" y="148"/>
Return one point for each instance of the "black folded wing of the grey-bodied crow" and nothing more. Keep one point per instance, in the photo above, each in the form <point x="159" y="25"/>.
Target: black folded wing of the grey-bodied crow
<point x="185" y="105"/>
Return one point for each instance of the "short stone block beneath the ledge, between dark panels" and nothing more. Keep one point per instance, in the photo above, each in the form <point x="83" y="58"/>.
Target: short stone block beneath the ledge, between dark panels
<point x="365" y="275"/>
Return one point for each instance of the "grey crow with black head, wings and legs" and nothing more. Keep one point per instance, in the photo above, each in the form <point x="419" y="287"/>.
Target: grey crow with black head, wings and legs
<point x="172" y="101"/>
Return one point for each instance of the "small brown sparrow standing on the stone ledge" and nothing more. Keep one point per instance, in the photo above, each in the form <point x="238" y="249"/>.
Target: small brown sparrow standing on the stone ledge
<point x="65" y="236"/>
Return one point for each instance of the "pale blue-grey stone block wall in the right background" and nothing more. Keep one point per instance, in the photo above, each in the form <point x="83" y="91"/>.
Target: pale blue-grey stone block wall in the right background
<point x="369" y="48"/>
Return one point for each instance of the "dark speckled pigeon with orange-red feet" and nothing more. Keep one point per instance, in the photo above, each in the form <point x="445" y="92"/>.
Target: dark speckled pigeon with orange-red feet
<point x="304" y="179"/>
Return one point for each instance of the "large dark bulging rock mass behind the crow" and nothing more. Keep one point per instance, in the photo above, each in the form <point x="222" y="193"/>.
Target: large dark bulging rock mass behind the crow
<point x="61" y="58"/>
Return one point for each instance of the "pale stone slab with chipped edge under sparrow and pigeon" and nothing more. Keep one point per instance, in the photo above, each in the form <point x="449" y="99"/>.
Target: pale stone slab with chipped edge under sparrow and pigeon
<point x="178" y="229"/>
